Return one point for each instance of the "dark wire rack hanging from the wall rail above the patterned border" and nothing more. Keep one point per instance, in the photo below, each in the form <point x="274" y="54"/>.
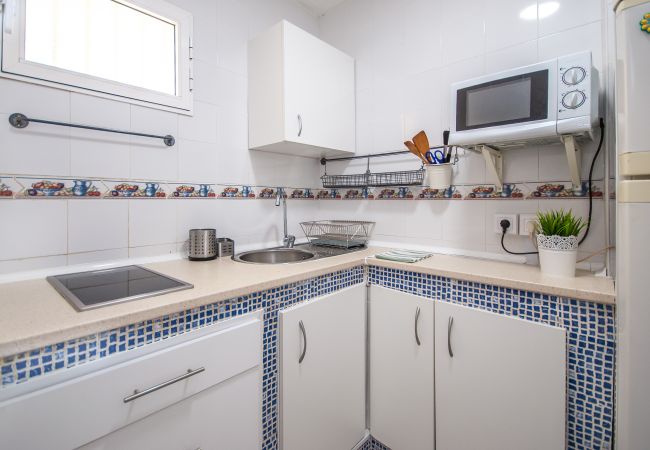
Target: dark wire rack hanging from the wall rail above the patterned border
<point x="374" y="179"/>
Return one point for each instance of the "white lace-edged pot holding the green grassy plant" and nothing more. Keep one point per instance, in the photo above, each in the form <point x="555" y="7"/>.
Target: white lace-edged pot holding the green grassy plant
<point x="557" y="255"/>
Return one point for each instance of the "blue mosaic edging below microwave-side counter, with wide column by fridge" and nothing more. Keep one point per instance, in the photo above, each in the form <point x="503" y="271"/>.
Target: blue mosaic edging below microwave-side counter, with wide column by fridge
<point x="591" y="342"/>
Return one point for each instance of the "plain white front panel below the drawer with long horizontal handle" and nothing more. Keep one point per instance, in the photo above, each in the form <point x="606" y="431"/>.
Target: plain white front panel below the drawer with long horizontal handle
<point x="224" y="416"/>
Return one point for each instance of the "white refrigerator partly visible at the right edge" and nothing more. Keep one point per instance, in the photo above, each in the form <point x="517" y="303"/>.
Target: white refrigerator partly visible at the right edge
<point x="633" y="224"/>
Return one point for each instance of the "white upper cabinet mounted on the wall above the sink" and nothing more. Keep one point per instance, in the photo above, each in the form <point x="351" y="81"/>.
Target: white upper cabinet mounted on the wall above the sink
<point x="300" y="94"/>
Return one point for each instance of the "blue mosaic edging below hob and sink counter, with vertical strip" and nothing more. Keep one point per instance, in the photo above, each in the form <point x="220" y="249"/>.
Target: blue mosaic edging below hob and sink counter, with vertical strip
<point x="25" y="366"/>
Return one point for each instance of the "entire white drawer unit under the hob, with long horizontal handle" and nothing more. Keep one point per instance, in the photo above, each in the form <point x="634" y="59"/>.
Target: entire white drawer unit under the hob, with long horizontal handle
<point x="85" y="407"/>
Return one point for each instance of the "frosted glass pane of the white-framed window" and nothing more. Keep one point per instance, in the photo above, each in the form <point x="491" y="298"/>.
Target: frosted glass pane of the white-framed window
<point x="104" y="39"/>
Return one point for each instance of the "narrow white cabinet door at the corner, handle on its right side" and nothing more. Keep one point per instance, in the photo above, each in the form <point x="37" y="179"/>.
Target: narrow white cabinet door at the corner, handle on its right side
<point x="401" y="369"/>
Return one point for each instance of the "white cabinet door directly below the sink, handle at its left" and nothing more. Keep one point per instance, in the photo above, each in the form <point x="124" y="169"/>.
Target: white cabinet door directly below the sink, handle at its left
<point x="322" y="372"/>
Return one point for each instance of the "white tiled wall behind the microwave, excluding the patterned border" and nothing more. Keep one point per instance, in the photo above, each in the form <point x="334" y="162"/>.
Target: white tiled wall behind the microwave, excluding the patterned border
<point x="407" y="54"/>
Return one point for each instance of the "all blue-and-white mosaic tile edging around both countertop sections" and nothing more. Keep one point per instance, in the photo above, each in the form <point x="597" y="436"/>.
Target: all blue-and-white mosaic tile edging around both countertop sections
<point x="590" y="334"/>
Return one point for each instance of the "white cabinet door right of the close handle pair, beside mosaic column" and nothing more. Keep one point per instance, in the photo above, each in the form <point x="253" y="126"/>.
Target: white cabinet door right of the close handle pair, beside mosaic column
<point x="500" y="381"/>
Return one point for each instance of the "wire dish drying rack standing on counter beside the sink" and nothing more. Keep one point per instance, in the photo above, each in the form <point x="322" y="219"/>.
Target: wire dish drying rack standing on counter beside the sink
<point x="338" y="233"/>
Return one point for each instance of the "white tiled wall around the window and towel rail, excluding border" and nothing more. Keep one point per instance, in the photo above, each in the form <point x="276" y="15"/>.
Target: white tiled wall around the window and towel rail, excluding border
<point x="211" y="147"/>
